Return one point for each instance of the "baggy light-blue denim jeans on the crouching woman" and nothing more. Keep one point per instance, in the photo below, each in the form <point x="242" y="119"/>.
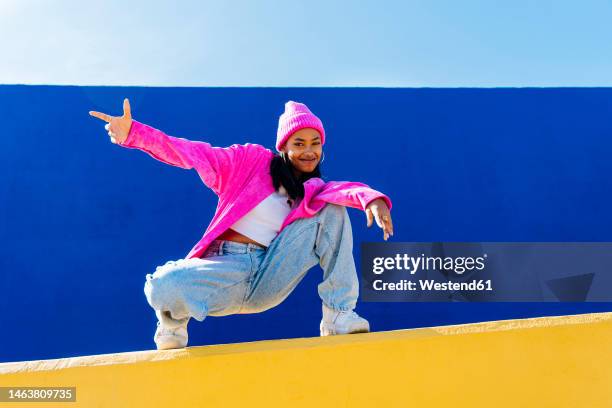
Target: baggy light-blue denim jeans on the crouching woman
<point x="233" y="278"/>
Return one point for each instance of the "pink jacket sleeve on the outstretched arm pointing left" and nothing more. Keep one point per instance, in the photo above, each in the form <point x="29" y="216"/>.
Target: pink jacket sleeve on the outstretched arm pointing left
<point x="213" y="164"/>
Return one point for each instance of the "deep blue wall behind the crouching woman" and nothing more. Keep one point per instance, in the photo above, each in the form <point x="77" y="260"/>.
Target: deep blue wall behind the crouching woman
<point x="83" y="220"/>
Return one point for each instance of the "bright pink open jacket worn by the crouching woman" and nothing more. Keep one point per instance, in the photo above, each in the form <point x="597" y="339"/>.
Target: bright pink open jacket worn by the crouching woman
<point x="240" y="176"/>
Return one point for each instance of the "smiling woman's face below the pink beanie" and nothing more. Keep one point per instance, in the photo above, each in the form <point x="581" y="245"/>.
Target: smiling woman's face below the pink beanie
<point x="304" y="149"/>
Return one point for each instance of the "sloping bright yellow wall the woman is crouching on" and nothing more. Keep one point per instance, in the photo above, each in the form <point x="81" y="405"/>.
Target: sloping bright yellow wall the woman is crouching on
<point x="544" y="362"/>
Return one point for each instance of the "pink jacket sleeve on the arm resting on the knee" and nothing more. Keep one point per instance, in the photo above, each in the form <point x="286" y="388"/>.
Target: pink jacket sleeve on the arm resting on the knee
<point x="351" y="194"/>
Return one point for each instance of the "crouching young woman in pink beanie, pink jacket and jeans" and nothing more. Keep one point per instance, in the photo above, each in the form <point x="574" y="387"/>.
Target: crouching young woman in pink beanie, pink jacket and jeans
<point x="276" y="218"/>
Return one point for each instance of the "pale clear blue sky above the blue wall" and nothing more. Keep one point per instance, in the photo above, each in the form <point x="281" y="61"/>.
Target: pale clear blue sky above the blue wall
<point x="307" y="43"/>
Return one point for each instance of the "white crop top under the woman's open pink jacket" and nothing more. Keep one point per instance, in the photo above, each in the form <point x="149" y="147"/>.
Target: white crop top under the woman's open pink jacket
<point x="263" y="222"/>
